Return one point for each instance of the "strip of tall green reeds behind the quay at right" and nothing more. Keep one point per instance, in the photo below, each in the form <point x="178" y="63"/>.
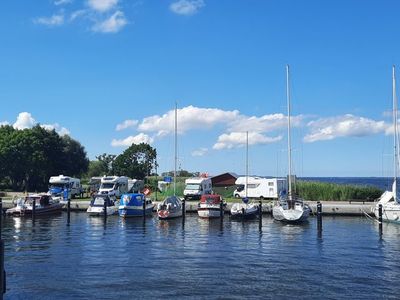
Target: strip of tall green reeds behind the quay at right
<point x="310" y="190"/>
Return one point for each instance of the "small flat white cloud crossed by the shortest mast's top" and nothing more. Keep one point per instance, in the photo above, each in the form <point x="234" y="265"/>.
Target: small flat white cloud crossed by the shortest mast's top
<point x="238" y="139"/>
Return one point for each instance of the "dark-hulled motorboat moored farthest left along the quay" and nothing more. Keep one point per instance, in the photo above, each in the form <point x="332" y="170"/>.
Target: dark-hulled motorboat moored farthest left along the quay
<point x="44" y="204"/>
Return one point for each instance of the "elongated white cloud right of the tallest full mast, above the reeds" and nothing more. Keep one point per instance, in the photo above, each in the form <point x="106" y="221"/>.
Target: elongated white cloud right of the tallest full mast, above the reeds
<point x="343" y="126"/>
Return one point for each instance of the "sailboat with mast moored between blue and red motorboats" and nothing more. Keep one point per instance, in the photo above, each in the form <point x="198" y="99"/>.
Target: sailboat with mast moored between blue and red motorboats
<point x="171" y="207"/>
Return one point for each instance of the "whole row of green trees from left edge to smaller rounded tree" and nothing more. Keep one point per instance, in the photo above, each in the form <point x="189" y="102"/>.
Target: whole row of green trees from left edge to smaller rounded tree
<point x="29" y="157"/>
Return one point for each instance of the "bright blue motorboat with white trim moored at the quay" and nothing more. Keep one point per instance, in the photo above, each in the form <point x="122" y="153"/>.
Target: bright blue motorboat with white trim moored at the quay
<point x="131" y="205"/>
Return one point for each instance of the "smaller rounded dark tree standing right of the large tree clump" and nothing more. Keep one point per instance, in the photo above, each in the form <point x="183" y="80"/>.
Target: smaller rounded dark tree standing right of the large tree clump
<point x="136" y="162"/>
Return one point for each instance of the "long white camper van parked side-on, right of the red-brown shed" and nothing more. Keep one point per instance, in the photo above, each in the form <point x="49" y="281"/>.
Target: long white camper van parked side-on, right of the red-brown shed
<point x="258" y="187"/>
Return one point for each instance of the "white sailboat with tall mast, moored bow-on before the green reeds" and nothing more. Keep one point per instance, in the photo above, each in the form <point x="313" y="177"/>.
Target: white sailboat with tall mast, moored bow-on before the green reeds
<point x="290" y="208"/>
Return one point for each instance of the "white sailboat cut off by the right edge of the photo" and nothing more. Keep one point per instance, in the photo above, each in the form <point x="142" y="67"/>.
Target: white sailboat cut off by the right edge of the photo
<point x="388" y="200"/>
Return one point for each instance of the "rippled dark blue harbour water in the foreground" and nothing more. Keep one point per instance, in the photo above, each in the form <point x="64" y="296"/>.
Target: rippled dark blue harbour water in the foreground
<point x="159" y="259"/>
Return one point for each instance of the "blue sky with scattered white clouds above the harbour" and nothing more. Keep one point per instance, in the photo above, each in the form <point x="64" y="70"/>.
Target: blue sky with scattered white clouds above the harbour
<point x="108" y="72"/>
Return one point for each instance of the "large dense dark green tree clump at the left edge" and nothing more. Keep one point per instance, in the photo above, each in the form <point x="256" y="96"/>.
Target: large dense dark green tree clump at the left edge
<point x="29" y="157"/>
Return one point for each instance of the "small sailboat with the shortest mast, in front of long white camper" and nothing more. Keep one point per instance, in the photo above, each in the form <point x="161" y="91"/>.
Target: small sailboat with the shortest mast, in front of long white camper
<point x="245" y="210"/>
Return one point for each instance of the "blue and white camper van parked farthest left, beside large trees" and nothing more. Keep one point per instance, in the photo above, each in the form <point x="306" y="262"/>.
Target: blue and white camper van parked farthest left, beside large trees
<point x="64" y="187"/>
